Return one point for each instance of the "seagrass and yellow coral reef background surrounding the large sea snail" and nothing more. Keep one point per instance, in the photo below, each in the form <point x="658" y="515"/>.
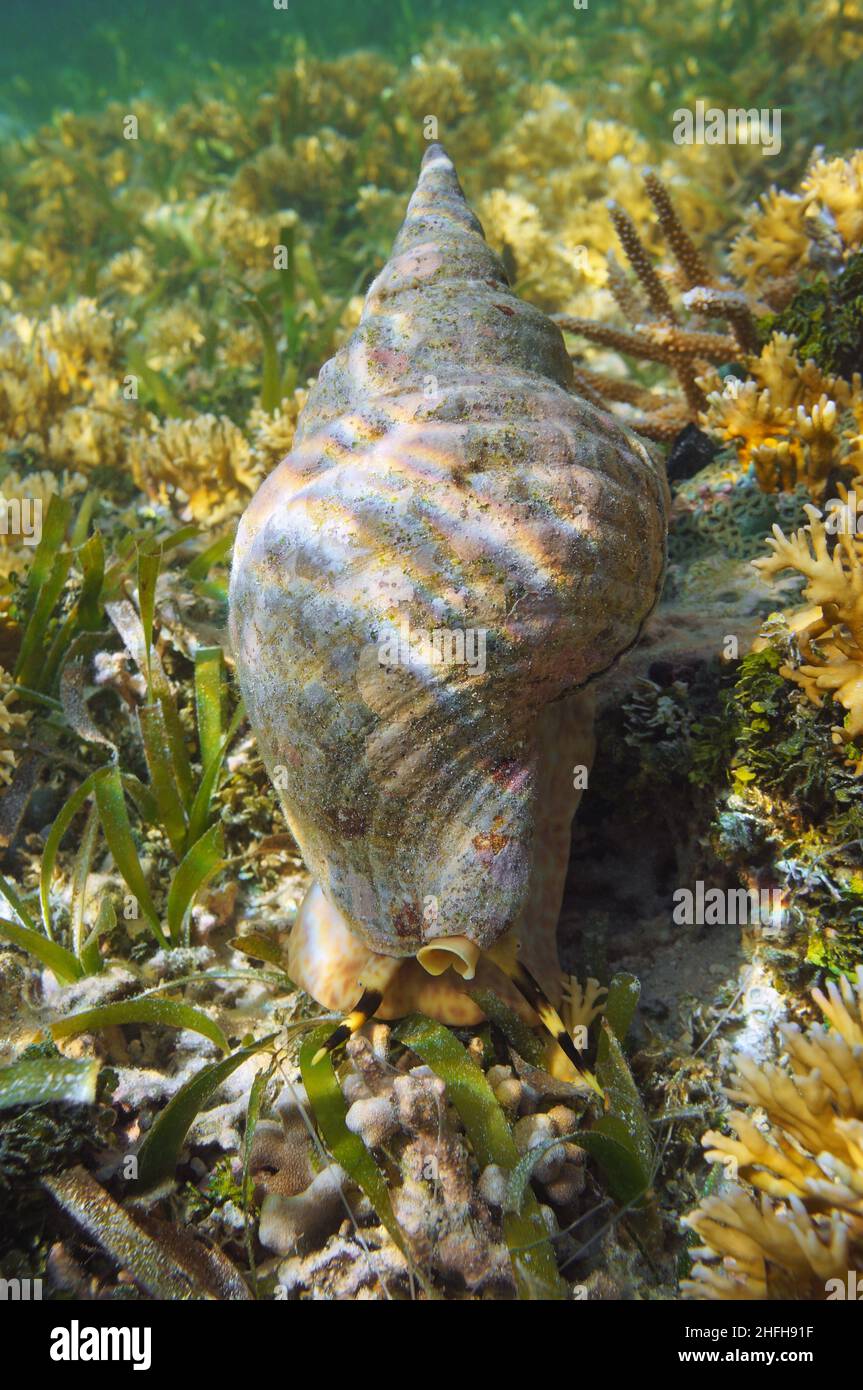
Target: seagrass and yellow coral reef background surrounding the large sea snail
<point x="194" y="204"/>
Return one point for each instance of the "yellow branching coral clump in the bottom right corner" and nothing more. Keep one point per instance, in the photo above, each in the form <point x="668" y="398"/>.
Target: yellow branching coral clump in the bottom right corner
<point x="807" y="1163"/>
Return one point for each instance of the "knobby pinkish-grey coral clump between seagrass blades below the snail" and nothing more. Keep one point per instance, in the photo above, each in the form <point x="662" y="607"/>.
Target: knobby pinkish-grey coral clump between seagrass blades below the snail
<point x="451" y="1213"/>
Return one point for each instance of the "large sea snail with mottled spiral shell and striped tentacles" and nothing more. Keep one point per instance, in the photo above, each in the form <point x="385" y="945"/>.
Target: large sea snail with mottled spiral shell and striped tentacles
<point x="420" y="594"/>
